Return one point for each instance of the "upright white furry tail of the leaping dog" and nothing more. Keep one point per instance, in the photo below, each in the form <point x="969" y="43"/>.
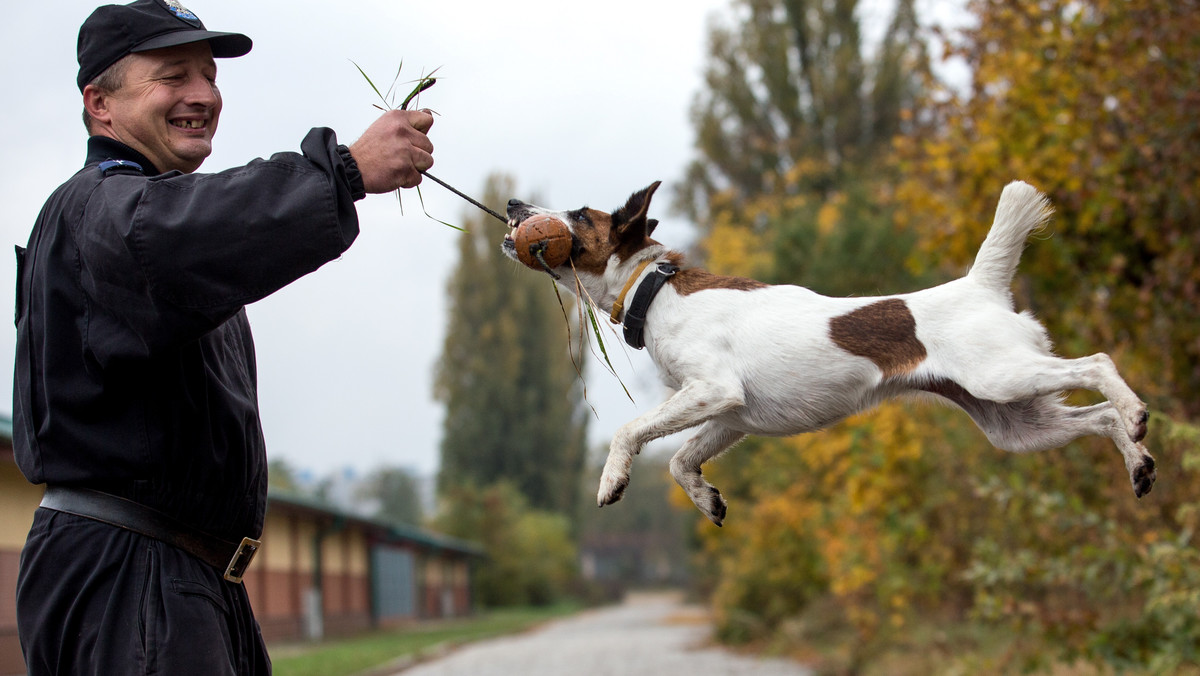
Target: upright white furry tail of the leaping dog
<point x="1022" y="211"/>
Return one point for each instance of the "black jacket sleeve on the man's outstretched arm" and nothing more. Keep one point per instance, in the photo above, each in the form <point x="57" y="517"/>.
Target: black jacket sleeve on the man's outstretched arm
<point x="169" y="259"/>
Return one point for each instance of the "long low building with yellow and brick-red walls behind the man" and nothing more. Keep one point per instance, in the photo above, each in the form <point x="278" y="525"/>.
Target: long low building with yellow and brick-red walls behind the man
<point x="321" y="571"/>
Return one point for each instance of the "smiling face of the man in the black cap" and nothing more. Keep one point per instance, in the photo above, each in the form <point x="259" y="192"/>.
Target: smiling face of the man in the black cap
<point x="169" y="106"/>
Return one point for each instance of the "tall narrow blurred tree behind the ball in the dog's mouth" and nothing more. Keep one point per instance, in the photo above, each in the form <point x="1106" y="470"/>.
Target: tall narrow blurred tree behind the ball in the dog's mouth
<point x="508" y="378"/>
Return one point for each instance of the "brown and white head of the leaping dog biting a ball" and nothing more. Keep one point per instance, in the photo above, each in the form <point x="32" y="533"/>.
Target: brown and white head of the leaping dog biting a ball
<point x="599" y="242"/>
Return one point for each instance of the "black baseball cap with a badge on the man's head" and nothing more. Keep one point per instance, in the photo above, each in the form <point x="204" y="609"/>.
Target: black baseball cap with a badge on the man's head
<point x="113" y="32"/>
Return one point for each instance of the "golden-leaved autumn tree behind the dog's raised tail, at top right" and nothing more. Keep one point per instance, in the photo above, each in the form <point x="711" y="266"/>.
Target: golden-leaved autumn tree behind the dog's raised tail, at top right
<point x="1096" y="104"/>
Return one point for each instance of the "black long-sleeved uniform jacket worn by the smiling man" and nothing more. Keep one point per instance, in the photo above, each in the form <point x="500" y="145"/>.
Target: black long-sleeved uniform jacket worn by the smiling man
<point x="135" y="368"/>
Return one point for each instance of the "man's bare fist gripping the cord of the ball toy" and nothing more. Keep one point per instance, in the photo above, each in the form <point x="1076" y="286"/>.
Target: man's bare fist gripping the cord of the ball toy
<point x="394" y="151"/>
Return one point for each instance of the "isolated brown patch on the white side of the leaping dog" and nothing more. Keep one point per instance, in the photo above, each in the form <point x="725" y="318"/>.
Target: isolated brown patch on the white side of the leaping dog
<point x="885" y="333"/>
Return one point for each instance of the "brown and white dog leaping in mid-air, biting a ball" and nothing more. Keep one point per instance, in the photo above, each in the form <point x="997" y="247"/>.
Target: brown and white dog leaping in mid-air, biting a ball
<point x="748" y="358"/>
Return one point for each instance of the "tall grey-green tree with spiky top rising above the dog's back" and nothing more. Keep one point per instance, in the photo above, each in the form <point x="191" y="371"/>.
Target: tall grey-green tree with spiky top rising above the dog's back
<point x="794" y="135"/>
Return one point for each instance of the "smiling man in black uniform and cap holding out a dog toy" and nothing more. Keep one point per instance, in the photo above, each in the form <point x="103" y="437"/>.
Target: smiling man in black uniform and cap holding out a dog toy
<point x="135" y="397"/>
